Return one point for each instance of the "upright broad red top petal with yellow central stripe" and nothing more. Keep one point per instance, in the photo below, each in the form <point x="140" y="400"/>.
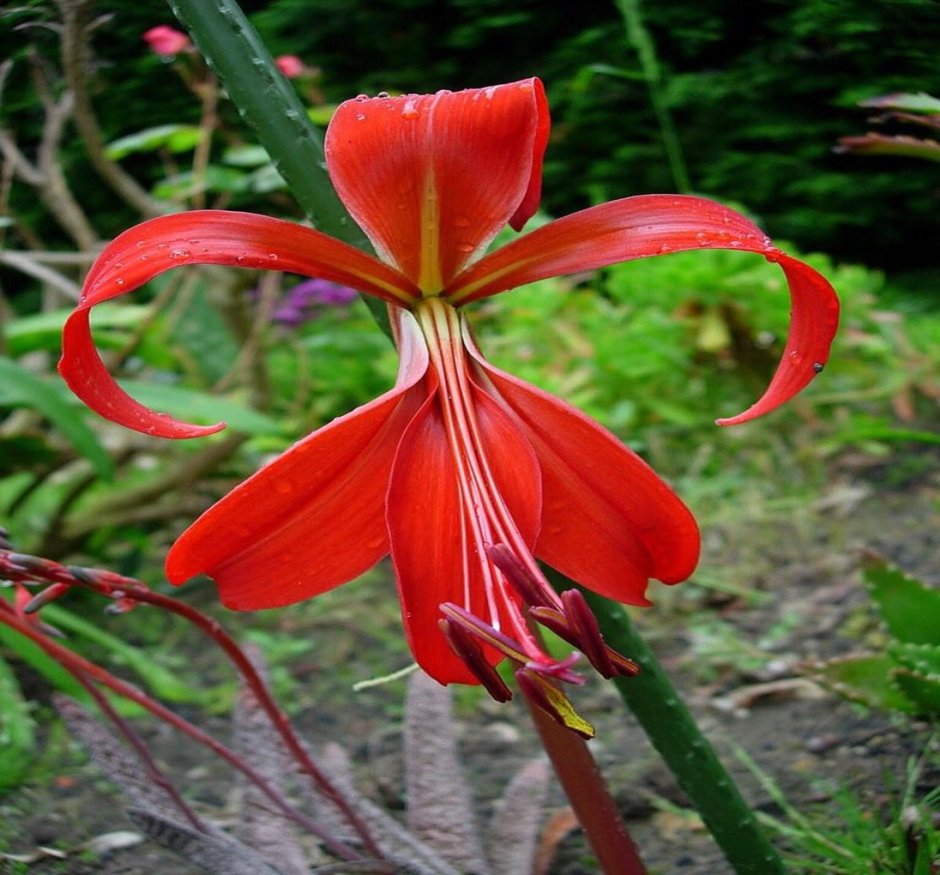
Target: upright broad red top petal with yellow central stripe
<point x="432" y="178"/>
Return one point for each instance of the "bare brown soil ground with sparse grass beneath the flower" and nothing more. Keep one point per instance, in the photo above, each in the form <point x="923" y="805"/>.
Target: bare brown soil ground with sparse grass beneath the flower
<point x="717" y="645"/>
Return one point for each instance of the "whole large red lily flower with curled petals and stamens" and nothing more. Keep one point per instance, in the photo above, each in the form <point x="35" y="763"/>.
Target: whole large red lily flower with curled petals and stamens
<point x="465" y="474"/>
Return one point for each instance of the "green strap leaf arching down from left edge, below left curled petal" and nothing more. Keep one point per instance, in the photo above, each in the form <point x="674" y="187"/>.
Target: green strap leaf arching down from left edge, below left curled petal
<point x="20" y="388"/>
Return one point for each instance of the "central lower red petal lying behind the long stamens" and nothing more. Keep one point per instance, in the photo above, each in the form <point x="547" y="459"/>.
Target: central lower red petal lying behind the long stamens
<point x="437" y="548"/>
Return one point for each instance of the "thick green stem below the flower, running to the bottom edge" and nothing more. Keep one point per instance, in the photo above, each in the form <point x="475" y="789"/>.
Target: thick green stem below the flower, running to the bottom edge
<point x="691" y="758"/>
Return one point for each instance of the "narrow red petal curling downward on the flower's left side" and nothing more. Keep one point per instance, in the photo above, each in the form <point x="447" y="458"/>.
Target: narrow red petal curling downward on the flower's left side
<point x="201" y="237"/>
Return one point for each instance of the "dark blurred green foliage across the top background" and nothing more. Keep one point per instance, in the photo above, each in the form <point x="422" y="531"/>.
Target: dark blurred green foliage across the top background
<point x="759" y="92"/>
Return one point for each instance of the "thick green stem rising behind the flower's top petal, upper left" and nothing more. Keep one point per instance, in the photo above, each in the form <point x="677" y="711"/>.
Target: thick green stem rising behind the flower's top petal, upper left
<point x="268" y="102"/>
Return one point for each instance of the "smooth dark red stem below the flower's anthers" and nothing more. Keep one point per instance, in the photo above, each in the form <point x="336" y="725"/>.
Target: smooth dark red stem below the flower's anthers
<point x="589" y="797"/>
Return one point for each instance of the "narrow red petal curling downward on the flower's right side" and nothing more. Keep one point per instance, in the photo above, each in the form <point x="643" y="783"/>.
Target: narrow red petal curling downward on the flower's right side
<point x="648" y="225"/>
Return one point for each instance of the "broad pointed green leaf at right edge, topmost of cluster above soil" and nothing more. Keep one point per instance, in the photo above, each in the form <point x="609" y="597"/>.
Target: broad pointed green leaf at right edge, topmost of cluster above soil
<point x="910" y="609"/>
